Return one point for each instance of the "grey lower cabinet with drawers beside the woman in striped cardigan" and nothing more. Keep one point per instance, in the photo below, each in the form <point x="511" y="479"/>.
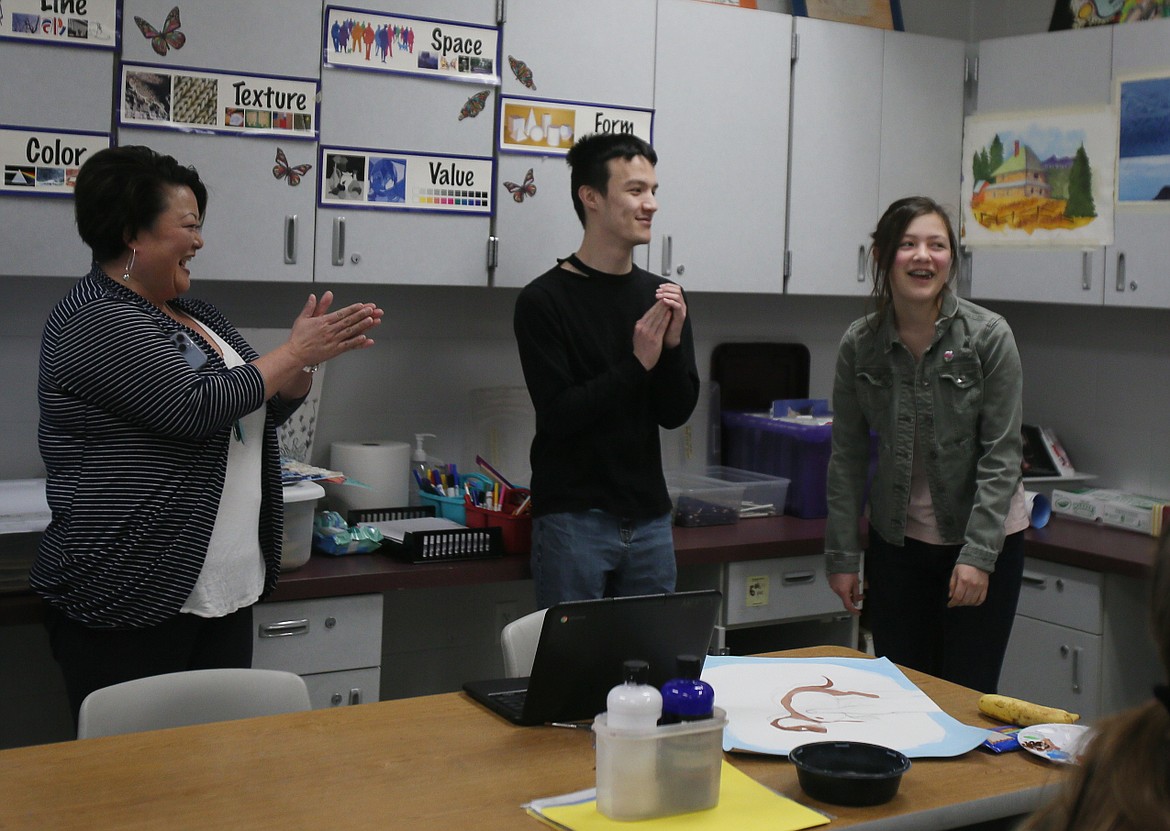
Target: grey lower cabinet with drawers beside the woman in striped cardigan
<point x="334" y="643"/>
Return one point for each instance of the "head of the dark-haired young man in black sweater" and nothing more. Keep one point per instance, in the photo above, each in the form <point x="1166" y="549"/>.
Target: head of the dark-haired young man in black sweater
<point x="614" y="186"/>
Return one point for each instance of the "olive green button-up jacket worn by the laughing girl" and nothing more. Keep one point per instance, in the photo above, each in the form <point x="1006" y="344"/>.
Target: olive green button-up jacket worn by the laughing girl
<point x="966" y="400"/>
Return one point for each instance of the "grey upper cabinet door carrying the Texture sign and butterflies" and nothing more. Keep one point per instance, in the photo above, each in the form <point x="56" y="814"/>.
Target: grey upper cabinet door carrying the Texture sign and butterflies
<point x="259" y="226"/>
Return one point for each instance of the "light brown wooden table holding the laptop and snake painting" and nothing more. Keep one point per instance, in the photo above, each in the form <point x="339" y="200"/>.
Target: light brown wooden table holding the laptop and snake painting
<point x="431" y="763"/>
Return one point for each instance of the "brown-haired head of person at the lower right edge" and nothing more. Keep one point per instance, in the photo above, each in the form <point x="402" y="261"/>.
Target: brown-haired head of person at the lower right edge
<point x="1124" y="780"/>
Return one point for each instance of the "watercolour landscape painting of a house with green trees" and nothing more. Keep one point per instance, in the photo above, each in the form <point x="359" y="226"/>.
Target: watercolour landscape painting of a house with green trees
<point x="1040" y="178"/>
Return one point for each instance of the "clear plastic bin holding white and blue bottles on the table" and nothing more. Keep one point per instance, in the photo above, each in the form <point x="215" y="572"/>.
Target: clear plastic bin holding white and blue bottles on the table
<point x="672" y="770"/>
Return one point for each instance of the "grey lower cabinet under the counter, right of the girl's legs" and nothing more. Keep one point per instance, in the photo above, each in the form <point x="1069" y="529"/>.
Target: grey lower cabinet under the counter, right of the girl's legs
<point x="1080" y="641"/>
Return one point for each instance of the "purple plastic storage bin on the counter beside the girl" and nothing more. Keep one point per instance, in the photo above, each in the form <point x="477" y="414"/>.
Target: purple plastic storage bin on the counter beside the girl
<point x="797" y="452"/>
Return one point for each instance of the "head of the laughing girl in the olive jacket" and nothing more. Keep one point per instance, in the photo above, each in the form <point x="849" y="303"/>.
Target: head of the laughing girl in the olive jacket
<point x="913" y="258"/>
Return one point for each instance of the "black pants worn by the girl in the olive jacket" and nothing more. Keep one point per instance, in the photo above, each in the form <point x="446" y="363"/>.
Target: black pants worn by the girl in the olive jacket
<point x="906" y="605"/>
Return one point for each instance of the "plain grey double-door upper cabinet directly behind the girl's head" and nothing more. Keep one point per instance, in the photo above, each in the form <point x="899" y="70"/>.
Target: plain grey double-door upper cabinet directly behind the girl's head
<point x="882" y="125"/>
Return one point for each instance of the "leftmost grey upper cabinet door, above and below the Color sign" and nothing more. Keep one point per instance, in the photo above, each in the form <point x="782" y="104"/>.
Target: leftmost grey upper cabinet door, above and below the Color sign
<point x="50" y="87"/>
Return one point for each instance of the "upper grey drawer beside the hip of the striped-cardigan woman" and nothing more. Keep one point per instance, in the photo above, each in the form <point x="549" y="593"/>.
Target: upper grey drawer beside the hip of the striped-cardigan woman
<point x="322" y="635"/>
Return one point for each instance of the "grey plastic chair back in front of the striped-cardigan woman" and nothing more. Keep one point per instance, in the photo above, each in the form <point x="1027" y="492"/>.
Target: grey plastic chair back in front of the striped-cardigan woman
<point x="190" y="698"/>
